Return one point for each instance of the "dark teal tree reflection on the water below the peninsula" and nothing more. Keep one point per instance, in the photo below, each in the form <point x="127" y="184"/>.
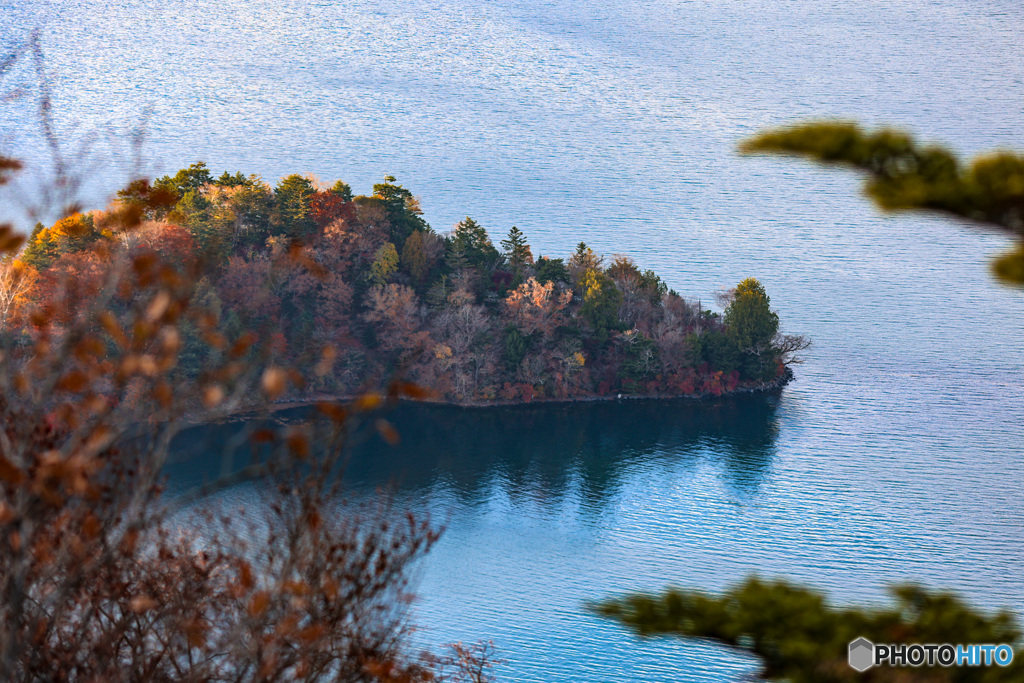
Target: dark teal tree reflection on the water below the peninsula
<point x="545" y="449"/>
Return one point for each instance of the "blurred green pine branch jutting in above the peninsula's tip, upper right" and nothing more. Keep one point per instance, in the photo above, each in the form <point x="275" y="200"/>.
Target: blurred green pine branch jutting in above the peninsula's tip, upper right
<point x="907" y="177"/>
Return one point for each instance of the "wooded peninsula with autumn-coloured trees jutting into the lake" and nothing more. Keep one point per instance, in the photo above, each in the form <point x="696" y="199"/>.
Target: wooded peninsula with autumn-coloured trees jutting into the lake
<point x="310" y="267"/>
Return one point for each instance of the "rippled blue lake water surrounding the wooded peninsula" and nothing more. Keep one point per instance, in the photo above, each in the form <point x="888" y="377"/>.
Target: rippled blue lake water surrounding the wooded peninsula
<point x="898" y="453"/>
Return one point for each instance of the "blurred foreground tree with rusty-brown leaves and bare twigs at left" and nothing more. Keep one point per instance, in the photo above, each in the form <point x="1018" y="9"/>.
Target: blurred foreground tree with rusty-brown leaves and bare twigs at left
<point x="99" y="584"/>
